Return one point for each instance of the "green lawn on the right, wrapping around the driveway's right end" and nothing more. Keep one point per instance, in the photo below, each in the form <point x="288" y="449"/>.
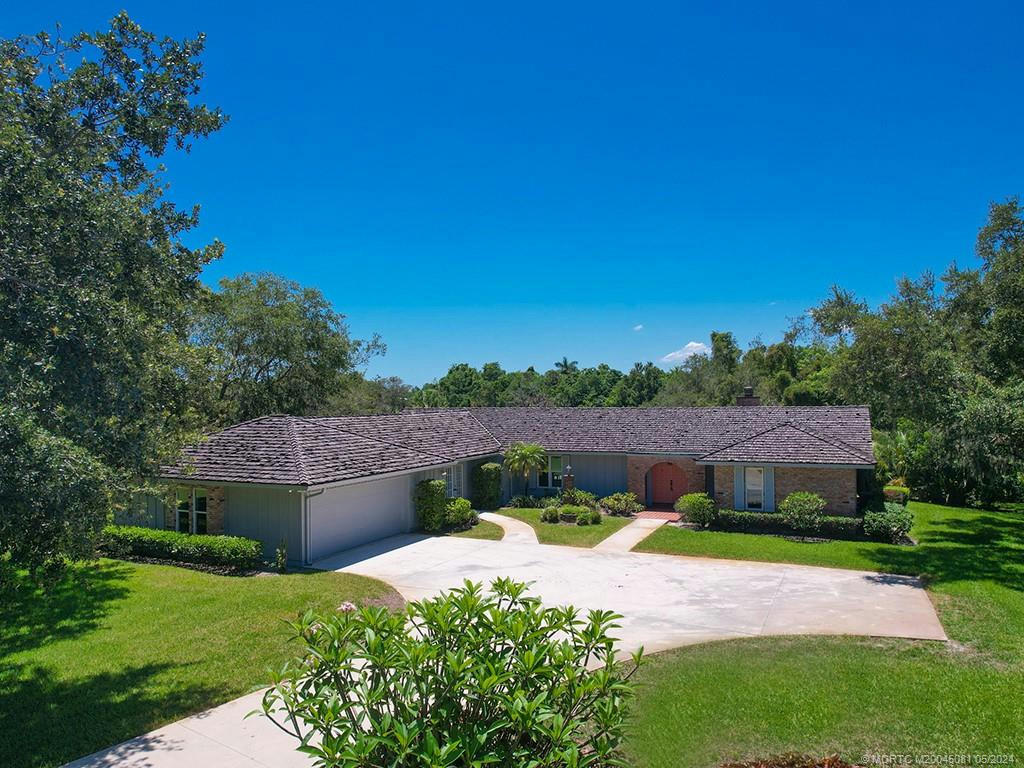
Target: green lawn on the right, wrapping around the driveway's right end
<point x="703" y="705"/>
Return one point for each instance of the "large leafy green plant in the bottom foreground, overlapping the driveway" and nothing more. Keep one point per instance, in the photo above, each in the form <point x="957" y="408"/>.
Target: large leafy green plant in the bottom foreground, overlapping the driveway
<point x="470" y="678"/>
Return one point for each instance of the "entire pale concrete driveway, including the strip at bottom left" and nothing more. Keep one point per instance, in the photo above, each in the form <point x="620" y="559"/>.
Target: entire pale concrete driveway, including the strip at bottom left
<point x="666" y="602"/>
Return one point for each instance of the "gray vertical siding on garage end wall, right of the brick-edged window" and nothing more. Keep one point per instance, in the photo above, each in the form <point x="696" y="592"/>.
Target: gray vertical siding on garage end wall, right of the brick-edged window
<point x="272" y="516"/>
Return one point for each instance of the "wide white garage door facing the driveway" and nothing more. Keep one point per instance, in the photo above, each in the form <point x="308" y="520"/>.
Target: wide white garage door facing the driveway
<point x="351" y="516"/>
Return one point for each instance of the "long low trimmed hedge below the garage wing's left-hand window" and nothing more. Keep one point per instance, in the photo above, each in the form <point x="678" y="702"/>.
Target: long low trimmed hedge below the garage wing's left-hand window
<point x="225" y="551"/>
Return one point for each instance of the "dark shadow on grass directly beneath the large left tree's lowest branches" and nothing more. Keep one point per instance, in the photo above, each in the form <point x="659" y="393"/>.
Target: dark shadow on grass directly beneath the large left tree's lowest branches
<point x="31" y="618"/>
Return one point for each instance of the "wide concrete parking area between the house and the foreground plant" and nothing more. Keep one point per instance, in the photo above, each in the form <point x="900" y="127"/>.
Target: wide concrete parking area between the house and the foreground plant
<point x="666" y="601"/>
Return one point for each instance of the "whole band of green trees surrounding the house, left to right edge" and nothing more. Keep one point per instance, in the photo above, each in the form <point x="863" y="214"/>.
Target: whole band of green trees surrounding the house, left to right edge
<point x="114" y="355"/>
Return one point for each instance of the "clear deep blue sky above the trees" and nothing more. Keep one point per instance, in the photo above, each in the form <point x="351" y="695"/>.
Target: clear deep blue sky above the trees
<point x="524" y="183"/>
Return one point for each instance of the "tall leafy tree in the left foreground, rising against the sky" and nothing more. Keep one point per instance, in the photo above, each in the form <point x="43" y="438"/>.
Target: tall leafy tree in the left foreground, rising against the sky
<point x="97" y="276"/>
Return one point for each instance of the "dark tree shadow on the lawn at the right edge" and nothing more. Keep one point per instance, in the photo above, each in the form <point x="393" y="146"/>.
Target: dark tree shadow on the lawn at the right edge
<point x="987" y="546"/>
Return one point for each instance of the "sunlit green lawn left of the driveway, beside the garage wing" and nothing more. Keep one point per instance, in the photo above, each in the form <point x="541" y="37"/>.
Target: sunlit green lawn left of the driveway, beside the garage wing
<point x="121" y="649"/>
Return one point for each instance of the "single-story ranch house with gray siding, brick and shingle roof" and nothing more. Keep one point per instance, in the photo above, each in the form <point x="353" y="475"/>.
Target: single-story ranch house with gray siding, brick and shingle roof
<point x="324" y="485"/>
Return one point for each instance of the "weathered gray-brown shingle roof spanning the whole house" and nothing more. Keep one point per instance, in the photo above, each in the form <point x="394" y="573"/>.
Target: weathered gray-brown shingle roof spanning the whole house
<point x="292" y="451"/>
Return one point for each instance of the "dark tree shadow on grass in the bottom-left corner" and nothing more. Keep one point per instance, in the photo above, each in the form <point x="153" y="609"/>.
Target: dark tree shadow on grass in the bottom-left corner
<point x="48" y="722"/>
